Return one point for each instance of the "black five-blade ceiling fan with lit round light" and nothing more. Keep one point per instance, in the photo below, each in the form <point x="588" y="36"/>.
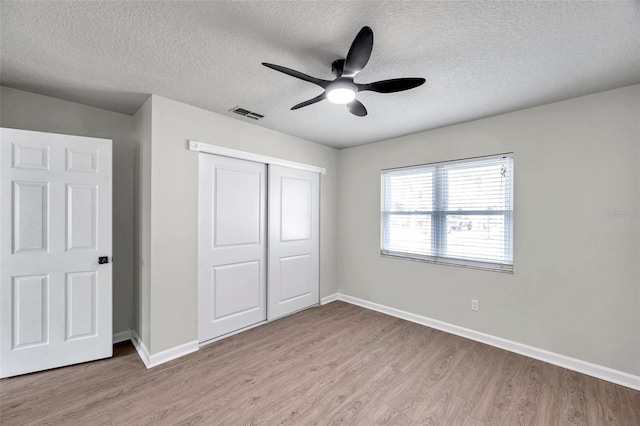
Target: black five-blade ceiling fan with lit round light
<point x="343" y="89"/>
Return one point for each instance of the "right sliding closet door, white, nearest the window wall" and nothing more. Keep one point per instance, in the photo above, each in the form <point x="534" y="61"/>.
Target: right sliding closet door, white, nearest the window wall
<point x="294" y="270"/>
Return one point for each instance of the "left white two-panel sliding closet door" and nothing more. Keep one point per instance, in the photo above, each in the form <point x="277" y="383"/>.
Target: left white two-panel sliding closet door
<point x="232" y="245"/>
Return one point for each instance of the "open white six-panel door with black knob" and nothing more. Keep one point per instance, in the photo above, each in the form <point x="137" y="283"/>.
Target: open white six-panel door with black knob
<point x="55" y="206"/>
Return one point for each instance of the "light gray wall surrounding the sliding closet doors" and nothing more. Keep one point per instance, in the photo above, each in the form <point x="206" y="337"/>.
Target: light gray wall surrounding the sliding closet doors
<point x="174" y="208"/>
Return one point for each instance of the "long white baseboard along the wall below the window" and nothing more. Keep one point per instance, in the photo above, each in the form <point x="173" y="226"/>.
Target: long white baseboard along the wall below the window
<point x="594" y="370"/>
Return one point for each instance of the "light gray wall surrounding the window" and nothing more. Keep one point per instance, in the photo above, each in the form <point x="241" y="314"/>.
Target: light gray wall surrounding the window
<point x="575" y="289"/>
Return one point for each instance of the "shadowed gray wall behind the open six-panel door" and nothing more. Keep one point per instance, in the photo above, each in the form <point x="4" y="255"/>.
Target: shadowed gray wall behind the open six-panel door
<point x="29" y="111"/>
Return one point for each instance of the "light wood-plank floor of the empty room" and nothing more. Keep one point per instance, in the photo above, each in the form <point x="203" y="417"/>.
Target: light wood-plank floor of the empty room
<point x="333" y="365"/>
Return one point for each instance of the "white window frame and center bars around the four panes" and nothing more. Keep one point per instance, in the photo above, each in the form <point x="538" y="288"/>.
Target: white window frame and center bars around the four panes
<point x="438" y="217"/>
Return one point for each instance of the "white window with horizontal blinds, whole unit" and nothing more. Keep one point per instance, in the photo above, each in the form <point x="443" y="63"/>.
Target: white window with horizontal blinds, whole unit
<point x="457" y="212"/>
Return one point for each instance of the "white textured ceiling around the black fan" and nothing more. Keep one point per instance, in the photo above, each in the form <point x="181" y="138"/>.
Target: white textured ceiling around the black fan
<point x="480" y="58"/>
